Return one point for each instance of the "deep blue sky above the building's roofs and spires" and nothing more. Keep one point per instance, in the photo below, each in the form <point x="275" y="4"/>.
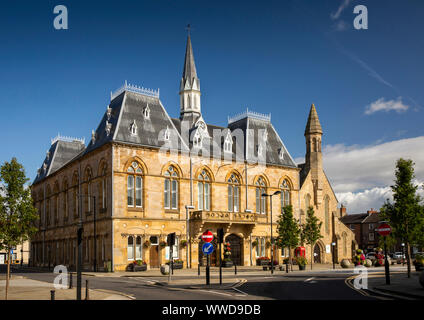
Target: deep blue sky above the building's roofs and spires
<point x="270" y="56"/>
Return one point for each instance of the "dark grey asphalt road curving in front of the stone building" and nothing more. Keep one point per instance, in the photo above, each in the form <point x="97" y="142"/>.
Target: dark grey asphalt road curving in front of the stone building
<point x="309" y="285"/>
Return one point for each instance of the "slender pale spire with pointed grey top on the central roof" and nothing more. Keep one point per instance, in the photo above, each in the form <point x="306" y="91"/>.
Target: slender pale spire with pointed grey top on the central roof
<point x="189" y="88"/>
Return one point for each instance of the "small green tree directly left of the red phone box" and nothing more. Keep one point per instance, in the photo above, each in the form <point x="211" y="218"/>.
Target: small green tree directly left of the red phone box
<point x="288" y="231"/>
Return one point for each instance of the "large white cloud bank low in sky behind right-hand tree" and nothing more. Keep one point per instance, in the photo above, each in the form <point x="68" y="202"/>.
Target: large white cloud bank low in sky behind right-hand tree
<point x="362" y="176"/>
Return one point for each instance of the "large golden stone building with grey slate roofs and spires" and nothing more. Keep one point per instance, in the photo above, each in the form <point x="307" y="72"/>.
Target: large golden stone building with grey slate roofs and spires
<point x="144" y="167"/>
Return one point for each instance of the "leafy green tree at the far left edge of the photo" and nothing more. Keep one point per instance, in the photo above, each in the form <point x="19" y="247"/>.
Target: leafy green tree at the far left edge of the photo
<point x="17" y="213"/>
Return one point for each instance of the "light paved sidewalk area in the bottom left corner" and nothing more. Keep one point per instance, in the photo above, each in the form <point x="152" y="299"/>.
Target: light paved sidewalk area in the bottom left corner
<point x="21" y="288"/>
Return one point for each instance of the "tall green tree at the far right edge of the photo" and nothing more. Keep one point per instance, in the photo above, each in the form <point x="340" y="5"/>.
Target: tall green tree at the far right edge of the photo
<point x="405" y="213"/>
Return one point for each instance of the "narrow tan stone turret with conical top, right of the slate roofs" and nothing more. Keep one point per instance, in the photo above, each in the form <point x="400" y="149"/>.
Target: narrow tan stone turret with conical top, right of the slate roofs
<point x="313" y="158"/>
